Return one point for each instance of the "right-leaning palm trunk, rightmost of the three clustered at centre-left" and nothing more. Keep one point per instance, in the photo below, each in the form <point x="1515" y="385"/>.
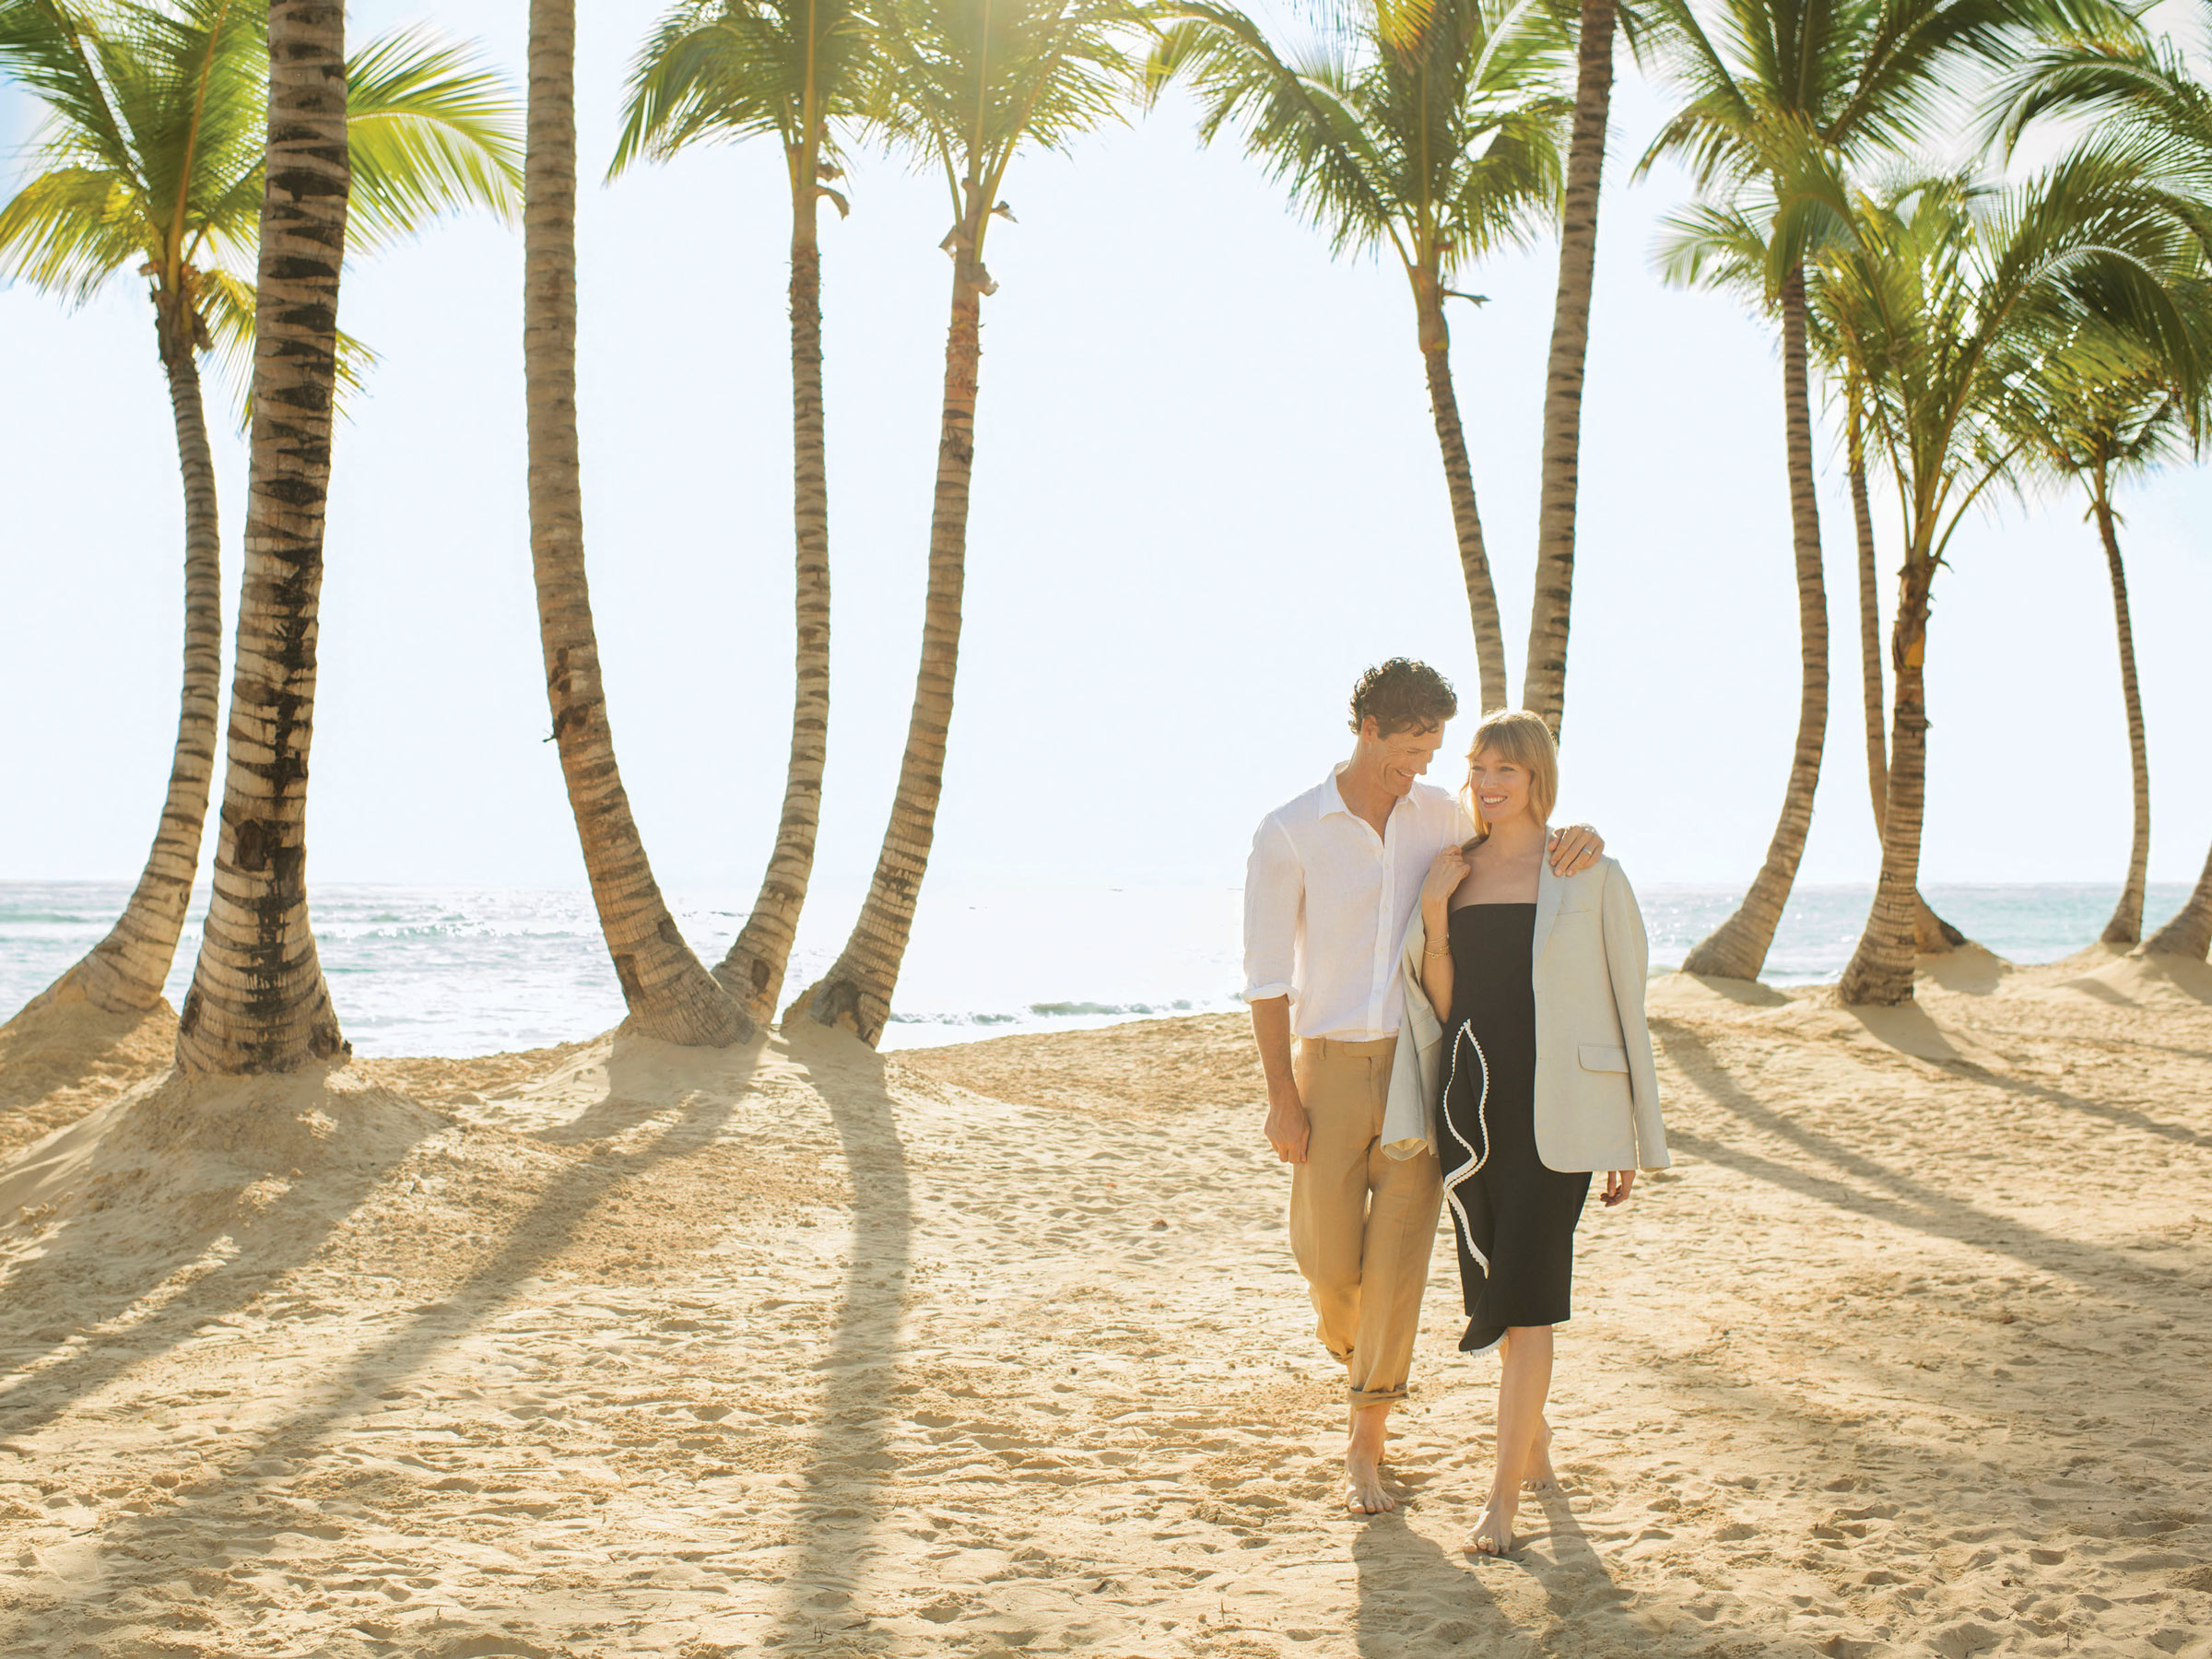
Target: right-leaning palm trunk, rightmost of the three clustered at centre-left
<point x="857" y="990"/>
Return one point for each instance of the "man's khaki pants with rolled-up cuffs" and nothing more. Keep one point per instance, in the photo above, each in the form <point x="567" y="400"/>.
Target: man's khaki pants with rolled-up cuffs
<point x="1361" y="1224"/>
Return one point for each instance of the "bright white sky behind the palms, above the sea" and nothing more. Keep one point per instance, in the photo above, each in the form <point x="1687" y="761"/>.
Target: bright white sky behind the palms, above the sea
<point x="1207" y="497"/>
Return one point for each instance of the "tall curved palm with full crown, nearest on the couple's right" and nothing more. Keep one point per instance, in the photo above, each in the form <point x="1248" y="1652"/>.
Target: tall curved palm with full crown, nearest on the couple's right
<point x="1773" y="87"/>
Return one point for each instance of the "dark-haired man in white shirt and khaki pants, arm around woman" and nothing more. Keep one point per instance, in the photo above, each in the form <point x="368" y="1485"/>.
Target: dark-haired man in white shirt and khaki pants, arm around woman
<point x="1331" y="890"/>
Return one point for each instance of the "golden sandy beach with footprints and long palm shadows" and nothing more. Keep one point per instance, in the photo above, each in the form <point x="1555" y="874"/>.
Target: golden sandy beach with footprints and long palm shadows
<point x="988" y="1350"/>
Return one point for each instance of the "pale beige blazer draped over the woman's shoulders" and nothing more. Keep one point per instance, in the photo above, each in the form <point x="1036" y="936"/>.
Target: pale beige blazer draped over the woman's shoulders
<point x="1596" y="1083"/>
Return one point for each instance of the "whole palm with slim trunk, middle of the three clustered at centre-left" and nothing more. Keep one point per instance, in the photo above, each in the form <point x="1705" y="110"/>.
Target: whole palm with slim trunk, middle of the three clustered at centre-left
<point x="733" y="70"/>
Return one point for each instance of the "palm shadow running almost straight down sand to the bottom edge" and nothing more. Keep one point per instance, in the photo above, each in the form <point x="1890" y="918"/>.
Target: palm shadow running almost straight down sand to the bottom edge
<point x="839" y="1501"/>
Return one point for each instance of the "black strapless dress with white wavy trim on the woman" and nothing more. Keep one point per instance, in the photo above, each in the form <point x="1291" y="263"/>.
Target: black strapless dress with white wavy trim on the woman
<point x="1514" y="1218"/>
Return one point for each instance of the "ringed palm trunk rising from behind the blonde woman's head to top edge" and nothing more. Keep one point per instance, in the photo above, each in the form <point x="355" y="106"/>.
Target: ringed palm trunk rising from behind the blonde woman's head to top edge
<point x="1545" y="674"/>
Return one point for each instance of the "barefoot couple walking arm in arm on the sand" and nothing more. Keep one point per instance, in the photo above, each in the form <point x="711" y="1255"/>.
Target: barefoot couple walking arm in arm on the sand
<point x="1448" y="1001"/>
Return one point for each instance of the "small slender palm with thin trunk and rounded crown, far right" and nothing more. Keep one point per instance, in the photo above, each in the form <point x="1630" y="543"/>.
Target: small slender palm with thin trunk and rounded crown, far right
<point x="2096" y="413"/>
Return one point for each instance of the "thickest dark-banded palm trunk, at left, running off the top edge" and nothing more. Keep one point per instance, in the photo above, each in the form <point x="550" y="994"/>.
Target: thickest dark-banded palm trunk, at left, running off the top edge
<point x="258" y="999"/>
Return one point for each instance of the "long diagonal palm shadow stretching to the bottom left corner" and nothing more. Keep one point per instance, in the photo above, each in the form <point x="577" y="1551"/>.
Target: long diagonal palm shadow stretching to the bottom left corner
<point x="225" y="1510"/>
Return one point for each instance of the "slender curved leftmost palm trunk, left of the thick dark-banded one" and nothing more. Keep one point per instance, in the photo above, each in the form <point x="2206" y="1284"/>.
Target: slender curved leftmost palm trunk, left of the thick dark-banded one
<point x="125" y="972"/>
